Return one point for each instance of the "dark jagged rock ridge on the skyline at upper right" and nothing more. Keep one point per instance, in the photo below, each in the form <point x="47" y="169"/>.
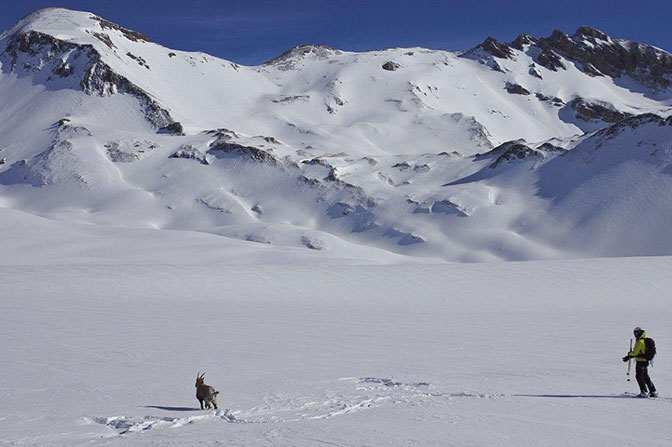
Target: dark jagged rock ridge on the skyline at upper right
<point x="593" y="52"/>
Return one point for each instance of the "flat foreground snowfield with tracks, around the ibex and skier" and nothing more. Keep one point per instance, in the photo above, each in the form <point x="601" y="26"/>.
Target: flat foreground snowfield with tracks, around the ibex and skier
<point x="525" y="354"/>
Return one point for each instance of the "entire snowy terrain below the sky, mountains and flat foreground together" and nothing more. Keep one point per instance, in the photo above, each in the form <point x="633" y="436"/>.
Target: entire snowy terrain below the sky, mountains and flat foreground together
<point x="285" y="228"/>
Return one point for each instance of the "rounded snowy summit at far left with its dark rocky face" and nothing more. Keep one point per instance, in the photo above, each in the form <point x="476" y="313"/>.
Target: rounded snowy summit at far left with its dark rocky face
<point x="73" y="49"/>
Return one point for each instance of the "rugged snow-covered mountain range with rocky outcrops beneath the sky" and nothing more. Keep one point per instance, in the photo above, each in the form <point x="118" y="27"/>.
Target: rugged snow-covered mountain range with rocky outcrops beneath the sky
<point x="539" y="148"/>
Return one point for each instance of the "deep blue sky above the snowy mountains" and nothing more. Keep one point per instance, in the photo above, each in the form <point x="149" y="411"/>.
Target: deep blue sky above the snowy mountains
<point x="251" y="32"/>
